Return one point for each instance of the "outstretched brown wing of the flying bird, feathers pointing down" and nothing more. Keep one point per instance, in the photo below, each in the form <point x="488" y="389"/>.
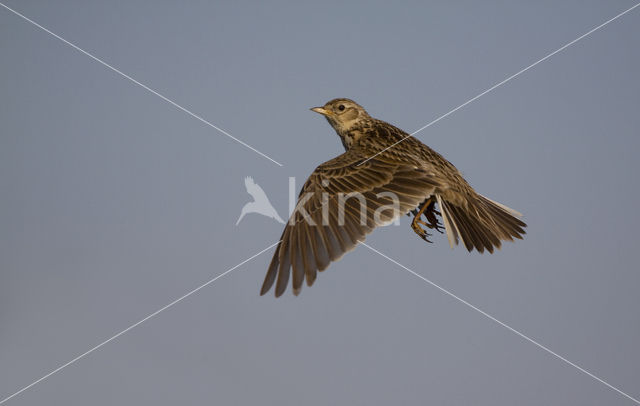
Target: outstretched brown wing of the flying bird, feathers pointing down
<point x="309" y="244"/>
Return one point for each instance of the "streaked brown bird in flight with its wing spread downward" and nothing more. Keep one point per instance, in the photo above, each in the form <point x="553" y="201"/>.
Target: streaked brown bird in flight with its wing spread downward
<point x="380" y="161"/>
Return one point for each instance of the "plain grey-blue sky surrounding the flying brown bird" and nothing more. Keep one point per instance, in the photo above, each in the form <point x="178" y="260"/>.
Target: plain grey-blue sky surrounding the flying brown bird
<point x="114" y="203"/>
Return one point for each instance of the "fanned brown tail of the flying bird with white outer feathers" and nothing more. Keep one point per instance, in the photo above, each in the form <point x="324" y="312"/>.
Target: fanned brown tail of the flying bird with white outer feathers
<point x="484" y="224"/>
